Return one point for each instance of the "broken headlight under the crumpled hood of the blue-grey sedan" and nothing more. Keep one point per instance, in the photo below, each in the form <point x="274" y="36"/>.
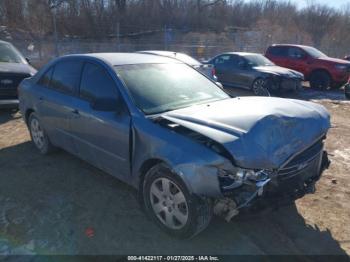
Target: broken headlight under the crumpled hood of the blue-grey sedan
<point x="231" y="179"/>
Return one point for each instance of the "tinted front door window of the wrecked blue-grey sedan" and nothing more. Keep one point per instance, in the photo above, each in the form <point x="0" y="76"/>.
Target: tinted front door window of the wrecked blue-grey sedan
<point x="97" y="83"/>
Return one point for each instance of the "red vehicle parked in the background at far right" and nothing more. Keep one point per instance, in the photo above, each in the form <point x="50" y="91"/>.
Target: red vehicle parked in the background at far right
<point x="321" y="70"/>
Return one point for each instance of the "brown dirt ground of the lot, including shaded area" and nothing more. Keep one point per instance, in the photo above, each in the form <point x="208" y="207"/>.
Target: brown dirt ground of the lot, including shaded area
<point x="59" y="204"/>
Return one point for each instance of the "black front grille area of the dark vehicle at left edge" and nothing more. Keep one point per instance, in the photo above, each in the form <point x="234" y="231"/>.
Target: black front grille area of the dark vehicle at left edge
<point x="9" y="83"/>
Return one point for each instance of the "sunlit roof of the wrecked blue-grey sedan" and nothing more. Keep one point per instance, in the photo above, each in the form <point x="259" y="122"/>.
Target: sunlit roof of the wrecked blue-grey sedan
<point x="116" y="59"/>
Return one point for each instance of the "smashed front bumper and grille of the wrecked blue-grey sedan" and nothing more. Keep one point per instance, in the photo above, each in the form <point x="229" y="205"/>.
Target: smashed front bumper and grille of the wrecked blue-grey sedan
<point x="281" y="188"/>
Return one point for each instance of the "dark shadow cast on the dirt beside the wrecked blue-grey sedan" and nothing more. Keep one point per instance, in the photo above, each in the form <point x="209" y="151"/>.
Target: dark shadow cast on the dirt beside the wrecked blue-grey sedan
<point x="59" y="204"/>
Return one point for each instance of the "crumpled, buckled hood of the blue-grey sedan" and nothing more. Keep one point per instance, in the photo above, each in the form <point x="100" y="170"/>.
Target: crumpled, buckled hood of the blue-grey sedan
<point x="259" y="132"/>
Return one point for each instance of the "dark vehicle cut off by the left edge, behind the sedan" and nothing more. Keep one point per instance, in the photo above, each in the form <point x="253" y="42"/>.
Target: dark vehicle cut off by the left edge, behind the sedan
<point x="13" y="69"/>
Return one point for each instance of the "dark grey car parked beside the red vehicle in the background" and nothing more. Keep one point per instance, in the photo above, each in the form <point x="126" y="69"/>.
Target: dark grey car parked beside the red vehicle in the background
<point x="255" y="72"/>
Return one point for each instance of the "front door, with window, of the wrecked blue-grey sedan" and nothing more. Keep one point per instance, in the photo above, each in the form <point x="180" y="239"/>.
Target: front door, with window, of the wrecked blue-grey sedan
<point x="101" y="137"/>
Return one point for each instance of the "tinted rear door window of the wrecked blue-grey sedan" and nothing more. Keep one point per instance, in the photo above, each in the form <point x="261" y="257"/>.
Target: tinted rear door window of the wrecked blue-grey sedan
<point x="66" y="76"/>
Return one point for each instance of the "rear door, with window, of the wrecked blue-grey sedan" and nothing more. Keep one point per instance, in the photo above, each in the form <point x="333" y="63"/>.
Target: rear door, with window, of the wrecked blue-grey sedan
<point x="55" y="92"/>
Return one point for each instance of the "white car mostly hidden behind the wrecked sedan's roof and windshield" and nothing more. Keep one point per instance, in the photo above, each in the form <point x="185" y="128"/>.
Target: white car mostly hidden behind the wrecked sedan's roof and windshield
<point x="205" y="69"/>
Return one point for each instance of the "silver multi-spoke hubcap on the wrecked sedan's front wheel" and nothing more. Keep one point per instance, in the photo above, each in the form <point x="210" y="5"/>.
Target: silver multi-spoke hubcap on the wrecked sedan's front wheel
<point x="169" y="203"/>
